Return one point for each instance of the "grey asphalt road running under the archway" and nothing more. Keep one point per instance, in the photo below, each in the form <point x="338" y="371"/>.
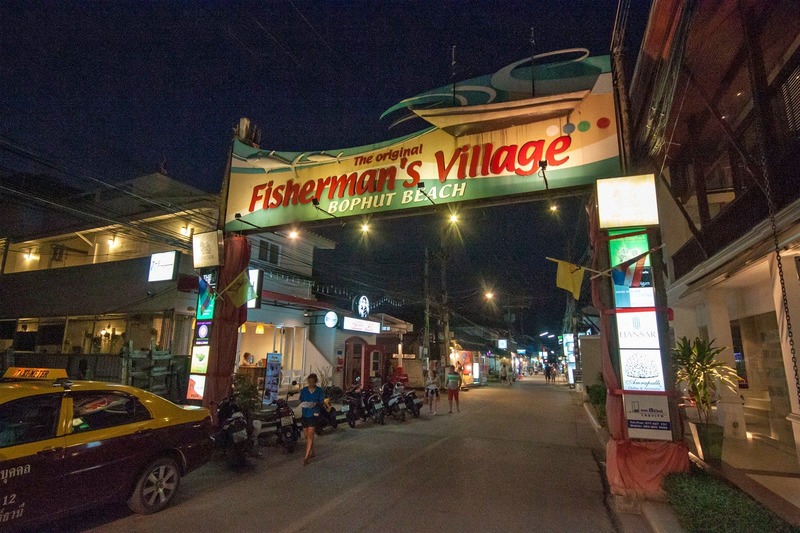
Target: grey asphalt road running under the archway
<point x="520" y="458"/>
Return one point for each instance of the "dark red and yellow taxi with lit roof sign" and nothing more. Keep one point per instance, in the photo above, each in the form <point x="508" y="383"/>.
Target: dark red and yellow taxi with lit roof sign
<point x="66" y="446"/>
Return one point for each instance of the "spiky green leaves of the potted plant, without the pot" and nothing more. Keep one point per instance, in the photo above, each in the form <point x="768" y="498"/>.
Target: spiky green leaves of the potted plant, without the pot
<point x="696" y="363"/>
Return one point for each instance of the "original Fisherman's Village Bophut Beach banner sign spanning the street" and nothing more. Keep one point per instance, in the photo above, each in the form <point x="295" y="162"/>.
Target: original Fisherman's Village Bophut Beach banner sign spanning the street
<point x="487" y="138"/>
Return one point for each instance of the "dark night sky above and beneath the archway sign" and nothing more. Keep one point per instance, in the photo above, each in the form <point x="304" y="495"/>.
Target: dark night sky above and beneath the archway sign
<point x="115" y="88"/>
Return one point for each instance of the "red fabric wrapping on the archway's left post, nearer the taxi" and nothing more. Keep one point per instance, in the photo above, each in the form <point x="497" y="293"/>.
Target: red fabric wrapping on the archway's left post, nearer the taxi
<point x="227" y="319"/>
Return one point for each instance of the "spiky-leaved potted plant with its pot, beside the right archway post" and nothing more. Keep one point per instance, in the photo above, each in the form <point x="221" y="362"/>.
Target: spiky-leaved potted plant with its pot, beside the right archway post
<point x="697" y="365"/>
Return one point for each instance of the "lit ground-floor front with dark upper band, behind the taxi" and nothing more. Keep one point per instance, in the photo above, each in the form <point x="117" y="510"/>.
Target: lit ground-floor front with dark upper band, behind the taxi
<point x="110" y="332"/>
